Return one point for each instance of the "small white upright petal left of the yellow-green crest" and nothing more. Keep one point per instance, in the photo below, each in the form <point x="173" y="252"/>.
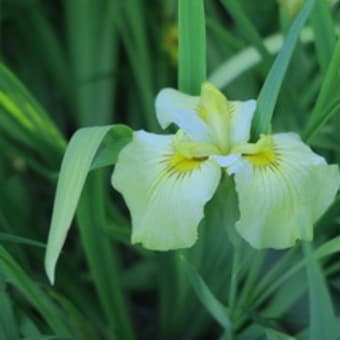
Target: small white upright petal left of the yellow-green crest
<point x="173" y="106"/>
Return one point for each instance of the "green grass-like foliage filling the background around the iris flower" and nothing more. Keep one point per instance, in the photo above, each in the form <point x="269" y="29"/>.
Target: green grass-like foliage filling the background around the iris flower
<point x="77" y="77"/>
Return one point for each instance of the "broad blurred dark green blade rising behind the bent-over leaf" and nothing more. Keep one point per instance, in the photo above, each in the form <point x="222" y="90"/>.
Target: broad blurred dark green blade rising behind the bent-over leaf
<point x="92" y="37"/>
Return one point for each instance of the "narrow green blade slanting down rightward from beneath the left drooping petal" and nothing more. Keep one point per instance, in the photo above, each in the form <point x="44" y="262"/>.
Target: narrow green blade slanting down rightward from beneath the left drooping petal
<point x="213" y="306"/>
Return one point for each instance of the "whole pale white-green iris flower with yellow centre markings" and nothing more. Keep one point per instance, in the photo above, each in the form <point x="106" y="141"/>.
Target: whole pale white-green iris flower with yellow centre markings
<point x="283" y="186"/>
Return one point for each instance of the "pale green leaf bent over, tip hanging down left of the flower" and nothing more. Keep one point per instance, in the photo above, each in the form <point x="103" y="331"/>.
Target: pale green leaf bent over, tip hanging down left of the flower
<point x="76" y="164"/>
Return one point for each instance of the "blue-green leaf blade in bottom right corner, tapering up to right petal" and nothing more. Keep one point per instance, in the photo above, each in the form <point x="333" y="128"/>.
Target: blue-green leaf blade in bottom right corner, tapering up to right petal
<point x="322" y="318"/>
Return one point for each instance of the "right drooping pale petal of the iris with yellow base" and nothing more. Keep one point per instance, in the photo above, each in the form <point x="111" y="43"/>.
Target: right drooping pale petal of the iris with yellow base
<point x="283" y="188"/>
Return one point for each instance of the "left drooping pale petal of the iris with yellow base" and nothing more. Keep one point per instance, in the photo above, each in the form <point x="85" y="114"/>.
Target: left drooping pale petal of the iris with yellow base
<point x="164" y="191"/>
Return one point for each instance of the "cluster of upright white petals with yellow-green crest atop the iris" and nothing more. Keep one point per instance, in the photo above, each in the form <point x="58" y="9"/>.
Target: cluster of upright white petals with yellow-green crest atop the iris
<point x="210" y="118"/>
